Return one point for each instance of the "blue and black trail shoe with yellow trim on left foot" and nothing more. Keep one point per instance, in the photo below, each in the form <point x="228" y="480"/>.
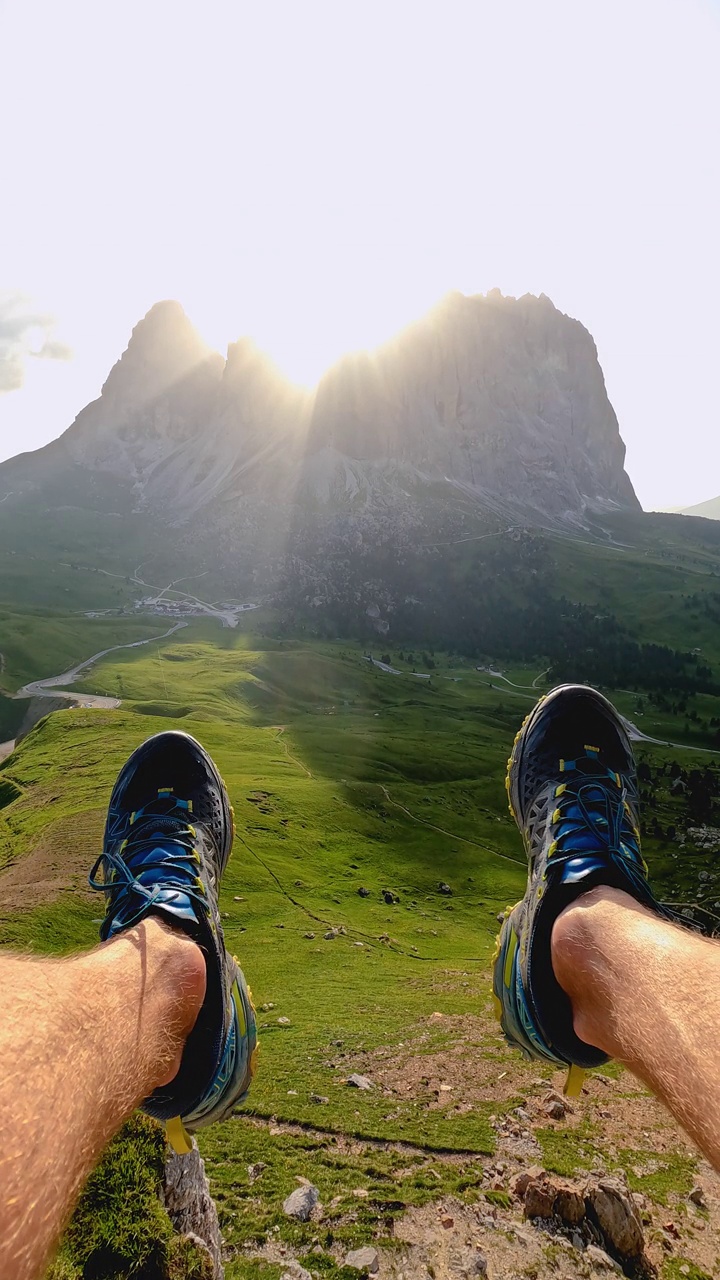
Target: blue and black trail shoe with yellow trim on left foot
<point x="168" y="839"/>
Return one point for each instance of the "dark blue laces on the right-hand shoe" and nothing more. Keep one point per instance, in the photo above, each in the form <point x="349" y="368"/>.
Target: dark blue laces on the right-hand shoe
<point x="594" y="815"/>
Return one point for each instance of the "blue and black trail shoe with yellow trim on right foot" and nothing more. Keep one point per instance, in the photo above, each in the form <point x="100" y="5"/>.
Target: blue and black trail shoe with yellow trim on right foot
<point x="573" y="793"/>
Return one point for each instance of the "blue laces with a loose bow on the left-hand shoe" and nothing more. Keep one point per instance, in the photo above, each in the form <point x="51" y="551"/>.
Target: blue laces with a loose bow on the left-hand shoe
<point x="157" y="856"/>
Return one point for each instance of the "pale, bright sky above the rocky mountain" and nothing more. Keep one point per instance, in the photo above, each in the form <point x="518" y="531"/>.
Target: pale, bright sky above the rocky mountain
<point x="317" y="173"/>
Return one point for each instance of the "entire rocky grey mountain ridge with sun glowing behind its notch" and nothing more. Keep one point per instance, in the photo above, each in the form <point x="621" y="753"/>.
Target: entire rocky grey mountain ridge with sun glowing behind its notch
<point x="487" y="404"/>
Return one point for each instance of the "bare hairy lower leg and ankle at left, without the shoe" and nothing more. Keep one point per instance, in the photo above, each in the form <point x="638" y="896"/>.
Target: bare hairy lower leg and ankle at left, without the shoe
<point x="83" y="1043"/>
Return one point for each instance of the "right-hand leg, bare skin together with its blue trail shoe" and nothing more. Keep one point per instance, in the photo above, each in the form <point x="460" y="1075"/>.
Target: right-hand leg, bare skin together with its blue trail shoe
<point x="564" y="991"/>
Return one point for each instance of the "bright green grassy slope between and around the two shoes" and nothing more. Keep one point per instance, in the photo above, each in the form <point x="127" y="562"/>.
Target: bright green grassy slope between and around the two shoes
<point x="341" y="778"/>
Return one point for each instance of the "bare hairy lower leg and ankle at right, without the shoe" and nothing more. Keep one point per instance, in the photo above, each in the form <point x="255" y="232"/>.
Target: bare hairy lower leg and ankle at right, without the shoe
<point x="649" y="994"/>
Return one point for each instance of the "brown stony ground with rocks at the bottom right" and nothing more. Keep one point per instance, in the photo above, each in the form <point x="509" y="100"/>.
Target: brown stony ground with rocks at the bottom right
<point x="587" y="1188"/>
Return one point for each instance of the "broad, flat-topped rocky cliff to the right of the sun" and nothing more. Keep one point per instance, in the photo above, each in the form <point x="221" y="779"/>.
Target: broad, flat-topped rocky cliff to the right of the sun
<point x="498" y="397"/>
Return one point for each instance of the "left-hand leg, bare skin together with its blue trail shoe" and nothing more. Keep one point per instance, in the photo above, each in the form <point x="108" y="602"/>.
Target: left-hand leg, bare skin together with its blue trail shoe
<point x="160" y="1016"/>
